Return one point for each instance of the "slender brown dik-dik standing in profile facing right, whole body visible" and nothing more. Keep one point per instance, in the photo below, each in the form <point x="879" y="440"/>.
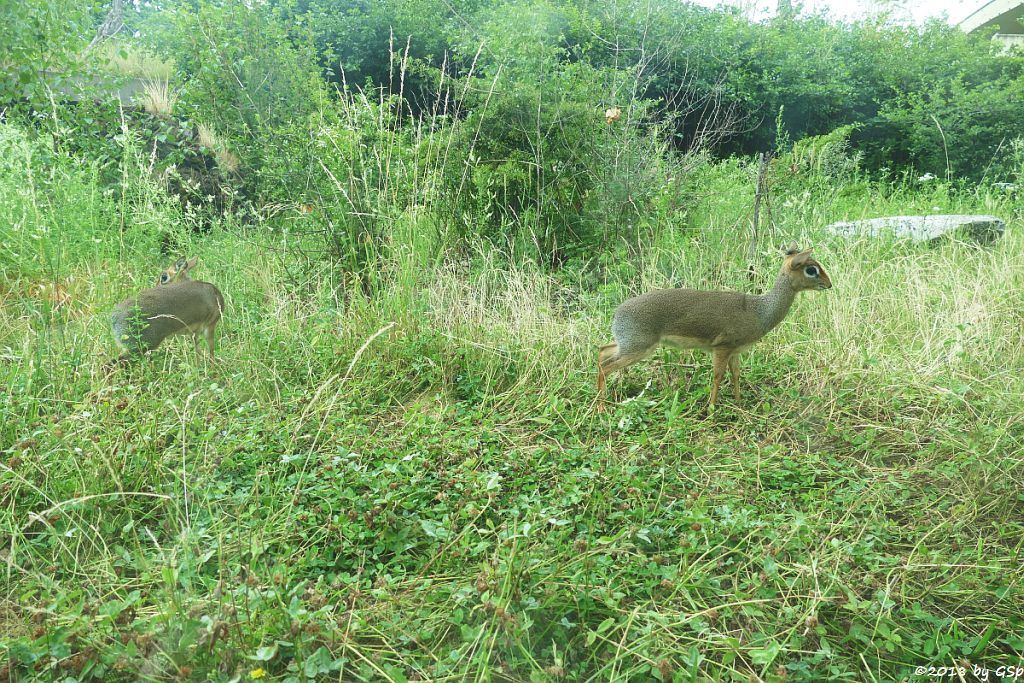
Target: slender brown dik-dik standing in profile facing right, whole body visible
<point x="724" y="323"/>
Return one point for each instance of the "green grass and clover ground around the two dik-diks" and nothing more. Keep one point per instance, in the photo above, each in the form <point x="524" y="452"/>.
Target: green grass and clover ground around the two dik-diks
<point x="441" y="502"/>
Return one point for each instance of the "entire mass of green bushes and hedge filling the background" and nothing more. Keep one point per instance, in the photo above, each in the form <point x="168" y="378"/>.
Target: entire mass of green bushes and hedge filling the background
<point x="490" y="120"/>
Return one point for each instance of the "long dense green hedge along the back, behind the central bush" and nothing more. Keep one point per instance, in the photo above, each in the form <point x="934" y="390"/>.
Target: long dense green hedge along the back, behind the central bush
<point x="718" y="78"/>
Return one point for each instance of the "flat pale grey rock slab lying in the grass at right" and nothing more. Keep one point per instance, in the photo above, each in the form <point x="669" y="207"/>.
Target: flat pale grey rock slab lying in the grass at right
<point x="923" y="229"/>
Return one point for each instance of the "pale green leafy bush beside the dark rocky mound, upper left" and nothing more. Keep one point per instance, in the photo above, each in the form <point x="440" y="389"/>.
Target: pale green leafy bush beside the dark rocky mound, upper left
<point x="245" y="75"/>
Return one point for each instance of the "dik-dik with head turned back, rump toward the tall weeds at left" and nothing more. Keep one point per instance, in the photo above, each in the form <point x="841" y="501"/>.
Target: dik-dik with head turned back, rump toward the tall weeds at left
<point x="177" y="306"/>
